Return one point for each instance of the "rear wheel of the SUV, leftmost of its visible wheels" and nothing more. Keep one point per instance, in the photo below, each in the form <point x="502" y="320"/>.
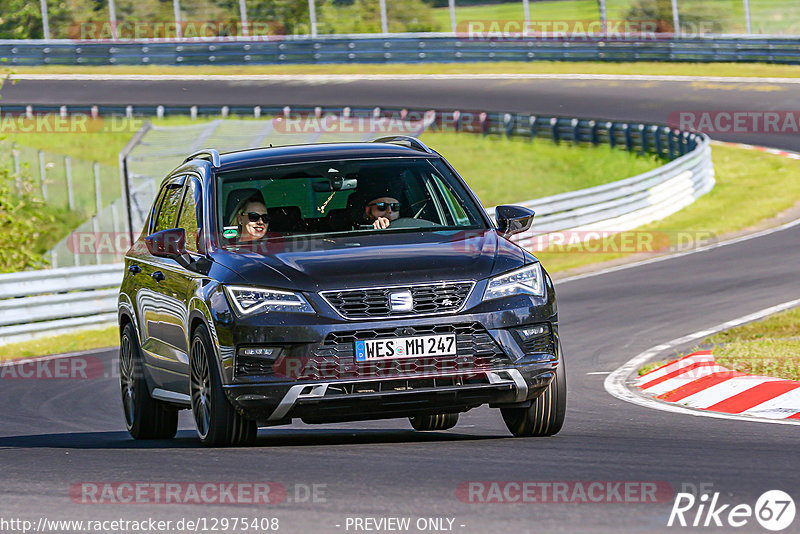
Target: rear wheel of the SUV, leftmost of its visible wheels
<point x="145" y="417"/>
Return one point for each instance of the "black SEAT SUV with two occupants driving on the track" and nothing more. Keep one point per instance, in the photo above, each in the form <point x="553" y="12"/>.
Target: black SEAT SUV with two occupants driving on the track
<point x="333" y="282"/>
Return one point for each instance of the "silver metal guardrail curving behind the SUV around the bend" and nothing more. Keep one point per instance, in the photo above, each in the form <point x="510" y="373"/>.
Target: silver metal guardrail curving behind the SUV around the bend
<point x="54" y="300"/>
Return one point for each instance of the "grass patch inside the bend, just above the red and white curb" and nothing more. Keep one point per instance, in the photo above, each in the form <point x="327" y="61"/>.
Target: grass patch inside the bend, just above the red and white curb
<point x="769" y="347"/>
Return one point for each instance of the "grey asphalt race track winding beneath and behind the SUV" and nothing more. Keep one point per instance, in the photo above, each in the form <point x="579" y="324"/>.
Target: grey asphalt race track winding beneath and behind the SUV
<point x="56" y="433"/>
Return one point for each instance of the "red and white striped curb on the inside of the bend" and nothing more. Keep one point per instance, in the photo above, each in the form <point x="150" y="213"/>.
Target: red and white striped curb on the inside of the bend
<point x="697" y="381"/>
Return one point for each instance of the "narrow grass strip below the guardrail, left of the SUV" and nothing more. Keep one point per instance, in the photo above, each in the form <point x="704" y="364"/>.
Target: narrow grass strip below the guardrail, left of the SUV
<point x="58" y="344"/>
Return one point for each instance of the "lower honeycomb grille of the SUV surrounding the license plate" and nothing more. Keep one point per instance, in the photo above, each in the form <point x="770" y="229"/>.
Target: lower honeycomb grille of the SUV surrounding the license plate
<point x="476" y="351"/>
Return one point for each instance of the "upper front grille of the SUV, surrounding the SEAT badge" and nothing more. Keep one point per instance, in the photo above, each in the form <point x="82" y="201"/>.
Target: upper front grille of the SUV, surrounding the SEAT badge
<point x="374" y="302"/>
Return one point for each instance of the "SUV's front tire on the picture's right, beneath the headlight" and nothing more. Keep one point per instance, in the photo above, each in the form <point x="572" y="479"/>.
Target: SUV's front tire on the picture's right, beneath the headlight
<point x="545" y="416"/>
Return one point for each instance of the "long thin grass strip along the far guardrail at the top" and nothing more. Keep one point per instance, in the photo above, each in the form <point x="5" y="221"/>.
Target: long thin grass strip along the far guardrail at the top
<point x="500" y="67"/>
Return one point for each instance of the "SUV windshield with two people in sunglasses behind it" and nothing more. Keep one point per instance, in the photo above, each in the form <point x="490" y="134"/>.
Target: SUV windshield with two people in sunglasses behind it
<point x="342" y="196"/>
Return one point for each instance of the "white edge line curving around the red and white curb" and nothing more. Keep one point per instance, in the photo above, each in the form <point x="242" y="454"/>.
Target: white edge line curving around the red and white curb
<point x="616" y="384"/>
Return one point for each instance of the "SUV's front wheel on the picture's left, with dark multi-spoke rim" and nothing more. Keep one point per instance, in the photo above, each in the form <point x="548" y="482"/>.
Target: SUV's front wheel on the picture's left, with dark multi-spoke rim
<point x="218" y="424"/>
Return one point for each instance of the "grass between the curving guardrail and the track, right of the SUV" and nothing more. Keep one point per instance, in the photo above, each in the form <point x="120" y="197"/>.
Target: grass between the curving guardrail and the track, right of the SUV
<point x="750" y="187"/>
